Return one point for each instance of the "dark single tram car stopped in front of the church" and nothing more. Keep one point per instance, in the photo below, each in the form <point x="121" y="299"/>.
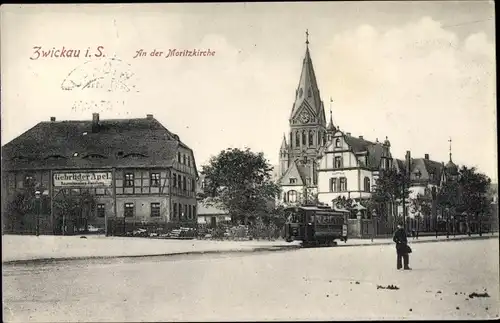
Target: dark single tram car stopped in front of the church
<point x="316" y="225"/>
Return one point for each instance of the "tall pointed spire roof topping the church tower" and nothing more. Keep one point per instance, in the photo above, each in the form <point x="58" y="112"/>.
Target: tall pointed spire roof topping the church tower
<point x="307" y="90"/>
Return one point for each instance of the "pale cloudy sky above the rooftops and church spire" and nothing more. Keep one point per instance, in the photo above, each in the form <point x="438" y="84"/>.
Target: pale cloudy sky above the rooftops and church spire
<point x="419" y="73"/>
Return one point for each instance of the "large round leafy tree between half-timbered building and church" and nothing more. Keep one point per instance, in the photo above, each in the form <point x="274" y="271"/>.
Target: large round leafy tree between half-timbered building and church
<point x="239" y="181"/>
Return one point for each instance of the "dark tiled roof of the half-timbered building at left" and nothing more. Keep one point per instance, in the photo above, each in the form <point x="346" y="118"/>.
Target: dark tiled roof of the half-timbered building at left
<point x="73" y="145"/>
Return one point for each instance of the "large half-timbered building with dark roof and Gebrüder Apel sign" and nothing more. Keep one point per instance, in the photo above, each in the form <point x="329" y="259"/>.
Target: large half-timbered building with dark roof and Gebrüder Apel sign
<point x="138" y="170"/>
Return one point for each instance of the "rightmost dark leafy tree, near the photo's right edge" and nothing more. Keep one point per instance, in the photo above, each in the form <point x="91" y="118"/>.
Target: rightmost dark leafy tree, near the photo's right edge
<point x="473" y="188"/>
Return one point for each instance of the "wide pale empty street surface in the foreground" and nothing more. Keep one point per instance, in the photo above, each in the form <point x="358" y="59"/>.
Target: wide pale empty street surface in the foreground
<point x="304" y="284"/>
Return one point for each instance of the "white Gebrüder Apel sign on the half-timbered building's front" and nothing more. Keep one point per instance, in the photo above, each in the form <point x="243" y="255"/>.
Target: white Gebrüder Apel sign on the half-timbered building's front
<point x="83" y="179"/>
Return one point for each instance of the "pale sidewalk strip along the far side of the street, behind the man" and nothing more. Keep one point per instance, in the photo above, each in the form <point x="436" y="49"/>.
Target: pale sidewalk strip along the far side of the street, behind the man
<point x="18" y="248"/>
